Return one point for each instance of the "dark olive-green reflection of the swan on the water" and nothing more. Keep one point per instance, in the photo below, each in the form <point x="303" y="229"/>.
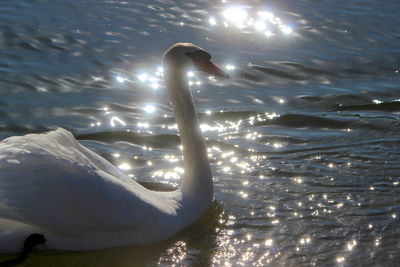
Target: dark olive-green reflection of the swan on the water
<point x="208" y="231"/>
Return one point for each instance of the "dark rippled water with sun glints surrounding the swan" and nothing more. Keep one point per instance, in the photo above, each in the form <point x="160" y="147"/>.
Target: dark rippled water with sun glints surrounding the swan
<point x="304" y="139"/>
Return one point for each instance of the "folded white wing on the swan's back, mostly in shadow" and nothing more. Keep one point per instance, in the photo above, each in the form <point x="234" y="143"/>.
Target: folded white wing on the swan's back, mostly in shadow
<point x="49" y="181"/>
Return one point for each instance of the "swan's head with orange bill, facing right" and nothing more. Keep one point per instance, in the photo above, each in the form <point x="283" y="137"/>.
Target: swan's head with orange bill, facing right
<point x="185" y="55"/>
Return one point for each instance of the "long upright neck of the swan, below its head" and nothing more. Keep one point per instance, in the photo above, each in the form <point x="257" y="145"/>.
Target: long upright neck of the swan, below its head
<point x="197" y="181"/>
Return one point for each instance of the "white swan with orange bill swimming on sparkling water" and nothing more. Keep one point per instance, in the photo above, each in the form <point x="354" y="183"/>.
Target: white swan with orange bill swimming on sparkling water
<point x="52" y="185"/>
